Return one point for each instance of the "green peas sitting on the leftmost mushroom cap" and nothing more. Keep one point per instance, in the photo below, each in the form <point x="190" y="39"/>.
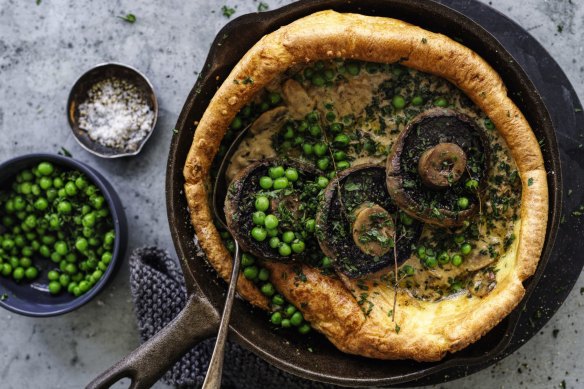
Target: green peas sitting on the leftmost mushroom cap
<point x="285" y="242"/>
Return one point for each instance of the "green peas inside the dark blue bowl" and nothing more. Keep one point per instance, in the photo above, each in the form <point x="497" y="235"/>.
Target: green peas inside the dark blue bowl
<point x="51" y="214"/>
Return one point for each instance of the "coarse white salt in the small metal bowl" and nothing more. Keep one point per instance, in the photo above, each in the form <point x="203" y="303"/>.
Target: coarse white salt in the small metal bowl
<point x="116" y="114"/>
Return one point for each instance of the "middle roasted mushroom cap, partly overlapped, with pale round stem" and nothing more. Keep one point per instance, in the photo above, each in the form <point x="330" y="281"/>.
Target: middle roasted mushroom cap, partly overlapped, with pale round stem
<point x="358" y="224"/>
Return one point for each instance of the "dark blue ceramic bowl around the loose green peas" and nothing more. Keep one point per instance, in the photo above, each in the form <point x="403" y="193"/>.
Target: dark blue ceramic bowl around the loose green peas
<point x="33" y="298"/>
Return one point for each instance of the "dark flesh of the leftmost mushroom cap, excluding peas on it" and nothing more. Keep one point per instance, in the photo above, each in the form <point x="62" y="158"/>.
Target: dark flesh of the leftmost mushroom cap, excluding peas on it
<point x="240" y="206"/>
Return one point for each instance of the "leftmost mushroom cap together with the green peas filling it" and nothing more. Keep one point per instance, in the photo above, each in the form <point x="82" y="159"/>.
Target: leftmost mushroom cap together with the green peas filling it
<point x="283" y="210"/>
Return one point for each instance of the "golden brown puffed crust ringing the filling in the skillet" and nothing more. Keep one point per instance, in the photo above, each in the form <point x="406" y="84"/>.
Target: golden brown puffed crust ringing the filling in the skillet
<point x="427" y="330"/>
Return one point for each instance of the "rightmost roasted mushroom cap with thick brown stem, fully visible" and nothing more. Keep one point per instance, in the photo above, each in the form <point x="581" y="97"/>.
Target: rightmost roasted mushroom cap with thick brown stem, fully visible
<point x="437" y="168"/>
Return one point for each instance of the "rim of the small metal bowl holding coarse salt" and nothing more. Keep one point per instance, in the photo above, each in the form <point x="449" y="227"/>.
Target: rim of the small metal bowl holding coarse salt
<point x="152" y="94"/>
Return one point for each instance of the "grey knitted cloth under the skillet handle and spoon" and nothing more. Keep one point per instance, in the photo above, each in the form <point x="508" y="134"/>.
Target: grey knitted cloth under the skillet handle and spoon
<point x="159" y="293"/>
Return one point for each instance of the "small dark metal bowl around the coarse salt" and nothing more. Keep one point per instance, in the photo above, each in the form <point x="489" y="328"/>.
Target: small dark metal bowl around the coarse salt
<point x="79" y="93"/>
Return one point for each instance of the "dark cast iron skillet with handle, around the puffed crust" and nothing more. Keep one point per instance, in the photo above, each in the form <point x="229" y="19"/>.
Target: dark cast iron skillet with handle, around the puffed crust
<point x="199" y="319"/>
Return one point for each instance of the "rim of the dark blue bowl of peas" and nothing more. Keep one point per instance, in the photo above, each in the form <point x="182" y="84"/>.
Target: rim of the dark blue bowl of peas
<point x="117" y="215"/>
